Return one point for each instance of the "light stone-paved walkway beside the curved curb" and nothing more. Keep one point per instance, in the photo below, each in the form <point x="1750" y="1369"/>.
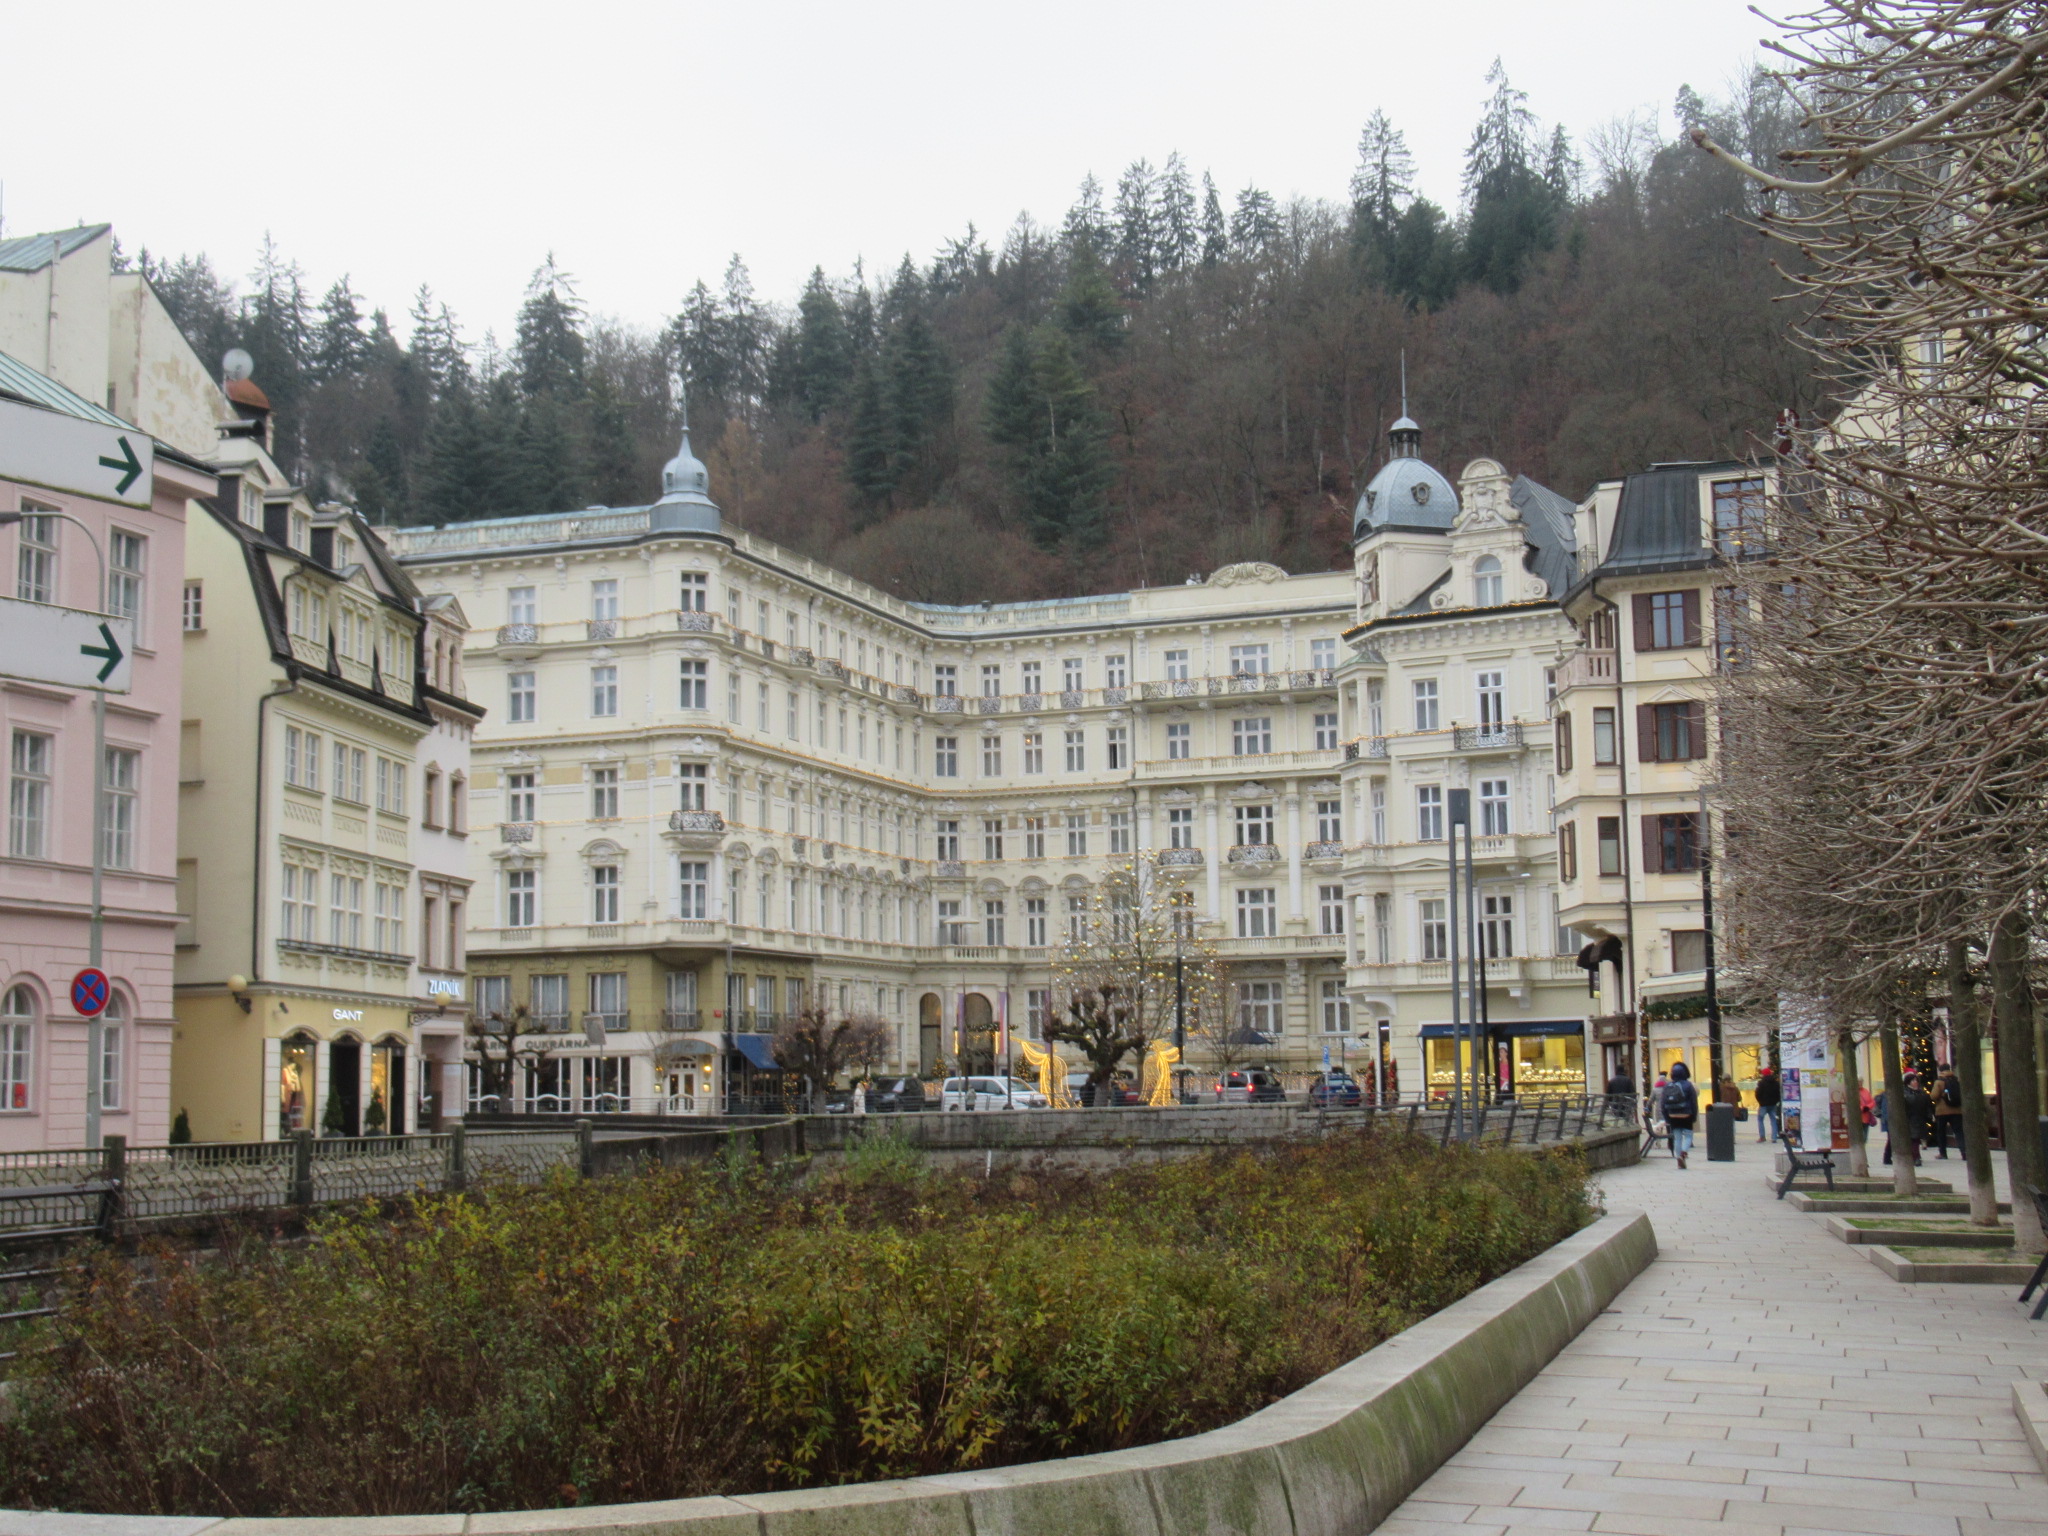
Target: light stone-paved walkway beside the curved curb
<point x="1760" y="1379"/>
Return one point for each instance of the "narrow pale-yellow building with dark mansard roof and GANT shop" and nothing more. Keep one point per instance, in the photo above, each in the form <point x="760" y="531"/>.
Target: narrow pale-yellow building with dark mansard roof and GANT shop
<point x="321" y="822"/>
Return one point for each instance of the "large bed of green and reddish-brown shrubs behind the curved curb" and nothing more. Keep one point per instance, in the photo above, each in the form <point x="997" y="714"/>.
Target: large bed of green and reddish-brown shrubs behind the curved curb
<point x="726" y="1330"/>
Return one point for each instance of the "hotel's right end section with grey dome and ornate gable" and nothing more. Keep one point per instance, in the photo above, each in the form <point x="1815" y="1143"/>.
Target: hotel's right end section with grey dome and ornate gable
<point x="1457" y="642"/>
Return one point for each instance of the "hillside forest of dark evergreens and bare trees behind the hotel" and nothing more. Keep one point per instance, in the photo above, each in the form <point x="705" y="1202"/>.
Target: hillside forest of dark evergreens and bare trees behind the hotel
<point x="1170" y="380"/>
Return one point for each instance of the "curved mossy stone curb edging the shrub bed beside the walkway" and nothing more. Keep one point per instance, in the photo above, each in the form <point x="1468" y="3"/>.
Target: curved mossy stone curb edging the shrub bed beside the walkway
<point x="1332" y="1459"/>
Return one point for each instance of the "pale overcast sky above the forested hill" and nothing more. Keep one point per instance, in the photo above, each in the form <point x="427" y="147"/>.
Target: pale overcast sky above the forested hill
<point x="644" y="144"/>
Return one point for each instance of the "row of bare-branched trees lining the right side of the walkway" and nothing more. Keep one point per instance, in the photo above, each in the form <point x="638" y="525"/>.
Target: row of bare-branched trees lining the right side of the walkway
<point x="1908" y="585"/>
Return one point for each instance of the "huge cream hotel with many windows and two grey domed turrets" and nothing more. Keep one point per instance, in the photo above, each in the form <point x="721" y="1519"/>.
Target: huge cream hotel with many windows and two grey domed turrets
<point x="720" y="779"/>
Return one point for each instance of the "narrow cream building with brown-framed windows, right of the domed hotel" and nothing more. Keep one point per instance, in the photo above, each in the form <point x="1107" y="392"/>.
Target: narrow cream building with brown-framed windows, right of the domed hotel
<point x="1654" y="626"/>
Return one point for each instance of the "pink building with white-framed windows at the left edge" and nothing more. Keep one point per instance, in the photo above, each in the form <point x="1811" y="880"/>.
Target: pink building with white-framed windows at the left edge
<point x="46" y="863"/>
